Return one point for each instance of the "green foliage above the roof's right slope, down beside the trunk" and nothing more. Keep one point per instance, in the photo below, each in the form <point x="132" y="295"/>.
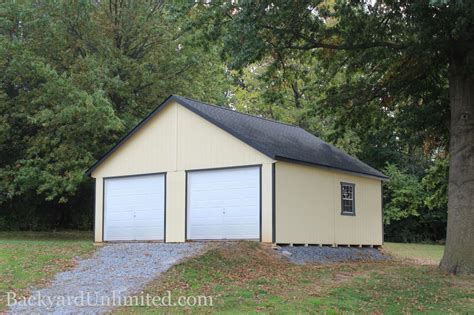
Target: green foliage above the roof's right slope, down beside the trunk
<point x="371" y="77"/>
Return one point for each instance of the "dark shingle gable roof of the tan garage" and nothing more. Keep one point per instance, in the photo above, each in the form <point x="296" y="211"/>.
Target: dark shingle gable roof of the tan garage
<point x="277" y="140"/>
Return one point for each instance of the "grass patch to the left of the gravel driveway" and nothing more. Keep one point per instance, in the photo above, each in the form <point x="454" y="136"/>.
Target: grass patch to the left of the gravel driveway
<point x="32" y="258"/>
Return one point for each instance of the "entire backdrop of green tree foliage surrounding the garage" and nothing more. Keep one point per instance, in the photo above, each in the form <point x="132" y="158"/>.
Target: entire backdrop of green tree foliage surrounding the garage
<point x="365" y="76"/>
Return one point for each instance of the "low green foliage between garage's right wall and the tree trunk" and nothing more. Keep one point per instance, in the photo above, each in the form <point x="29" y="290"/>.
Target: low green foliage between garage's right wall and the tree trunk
<point x="416" y="204"/>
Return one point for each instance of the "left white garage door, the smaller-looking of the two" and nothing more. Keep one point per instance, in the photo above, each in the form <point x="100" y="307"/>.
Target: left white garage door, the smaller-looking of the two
<point x="134" y="208"/>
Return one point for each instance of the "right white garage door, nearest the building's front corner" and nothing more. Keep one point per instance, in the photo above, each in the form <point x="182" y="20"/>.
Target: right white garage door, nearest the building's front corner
<point x="223" y="204"/>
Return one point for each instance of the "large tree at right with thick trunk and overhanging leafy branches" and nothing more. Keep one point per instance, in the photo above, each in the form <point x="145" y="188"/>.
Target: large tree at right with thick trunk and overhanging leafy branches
<point x="407" y="52"/>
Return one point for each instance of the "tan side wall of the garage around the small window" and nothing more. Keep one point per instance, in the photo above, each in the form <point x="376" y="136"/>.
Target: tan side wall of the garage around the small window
<point x="308" y="207"/>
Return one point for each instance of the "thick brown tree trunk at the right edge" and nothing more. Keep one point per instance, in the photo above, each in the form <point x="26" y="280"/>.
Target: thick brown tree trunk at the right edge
<point x="459" y="252"/>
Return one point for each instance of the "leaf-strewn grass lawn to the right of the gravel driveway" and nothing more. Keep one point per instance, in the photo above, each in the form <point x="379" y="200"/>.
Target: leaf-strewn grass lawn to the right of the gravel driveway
<point x="248" y="277"/>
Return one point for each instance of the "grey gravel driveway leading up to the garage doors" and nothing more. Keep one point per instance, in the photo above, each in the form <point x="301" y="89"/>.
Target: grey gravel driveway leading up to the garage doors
<point x="114" y="270"/>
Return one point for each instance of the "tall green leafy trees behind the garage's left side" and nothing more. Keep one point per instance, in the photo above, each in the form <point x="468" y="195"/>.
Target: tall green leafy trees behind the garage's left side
<point x="76" y="76"/>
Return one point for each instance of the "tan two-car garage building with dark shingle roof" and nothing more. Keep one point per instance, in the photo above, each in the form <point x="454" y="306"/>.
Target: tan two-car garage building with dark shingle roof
<point x="192" y="171"/>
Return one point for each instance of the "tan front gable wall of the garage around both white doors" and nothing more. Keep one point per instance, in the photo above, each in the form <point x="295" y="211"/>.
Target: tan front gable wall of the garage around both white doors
<point x="176" y="140"/>
